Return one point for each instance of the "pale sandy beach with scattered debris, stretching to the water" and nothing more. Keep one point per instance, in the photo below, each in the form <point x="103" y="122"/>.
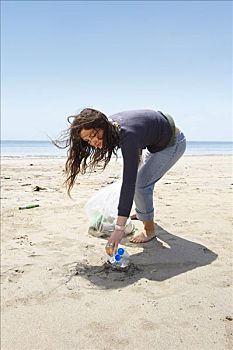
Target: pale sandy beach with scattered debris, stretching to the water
<point x="57" y="292"/>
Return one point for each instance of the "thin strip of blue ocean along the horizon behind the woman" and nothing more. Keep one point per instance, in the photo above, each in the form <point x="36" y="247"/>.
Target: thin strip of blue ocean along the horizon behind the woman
<point x="16" y="148"/>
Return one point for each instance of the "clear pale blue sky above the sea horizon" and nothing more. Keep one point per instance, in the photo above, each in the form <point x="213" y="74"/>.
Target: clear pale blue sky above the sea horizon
<point x="58" y="57"/>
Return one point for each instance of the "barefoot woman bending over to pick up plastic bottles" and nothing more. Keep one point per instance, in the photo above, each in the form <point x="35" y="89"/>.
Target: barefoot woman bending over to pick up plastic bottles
<point x="93" y="138"/>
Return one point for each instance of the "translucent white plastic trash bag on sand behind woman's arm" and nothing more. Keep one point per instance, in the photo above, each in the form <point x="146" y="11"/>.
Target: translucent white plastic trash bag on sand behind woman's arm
<point x="101" y="210"/>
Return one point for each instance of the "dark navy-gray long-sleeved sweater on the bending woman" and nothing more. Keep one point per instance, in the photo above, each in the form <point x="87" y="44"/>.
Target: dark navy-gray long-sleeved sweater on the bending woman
<point x="139" y="129"/>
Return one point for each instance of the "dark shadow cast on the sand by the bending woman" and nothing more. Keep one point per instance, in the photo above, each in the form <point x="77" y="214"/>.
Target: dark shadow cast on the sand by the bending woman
<point x="162" y="258"/>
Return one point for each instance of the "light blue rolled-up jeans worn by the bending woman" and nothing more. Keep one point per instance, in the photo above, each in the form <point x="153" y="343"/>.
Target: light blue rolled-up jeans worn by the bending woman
<point x="151" y="169"/>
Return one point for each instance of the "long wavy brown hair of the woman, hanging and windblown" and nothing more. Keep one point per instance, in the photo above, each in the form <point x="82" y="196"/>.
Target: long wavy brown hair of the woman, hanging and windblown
<point x="82" y="155"/>
